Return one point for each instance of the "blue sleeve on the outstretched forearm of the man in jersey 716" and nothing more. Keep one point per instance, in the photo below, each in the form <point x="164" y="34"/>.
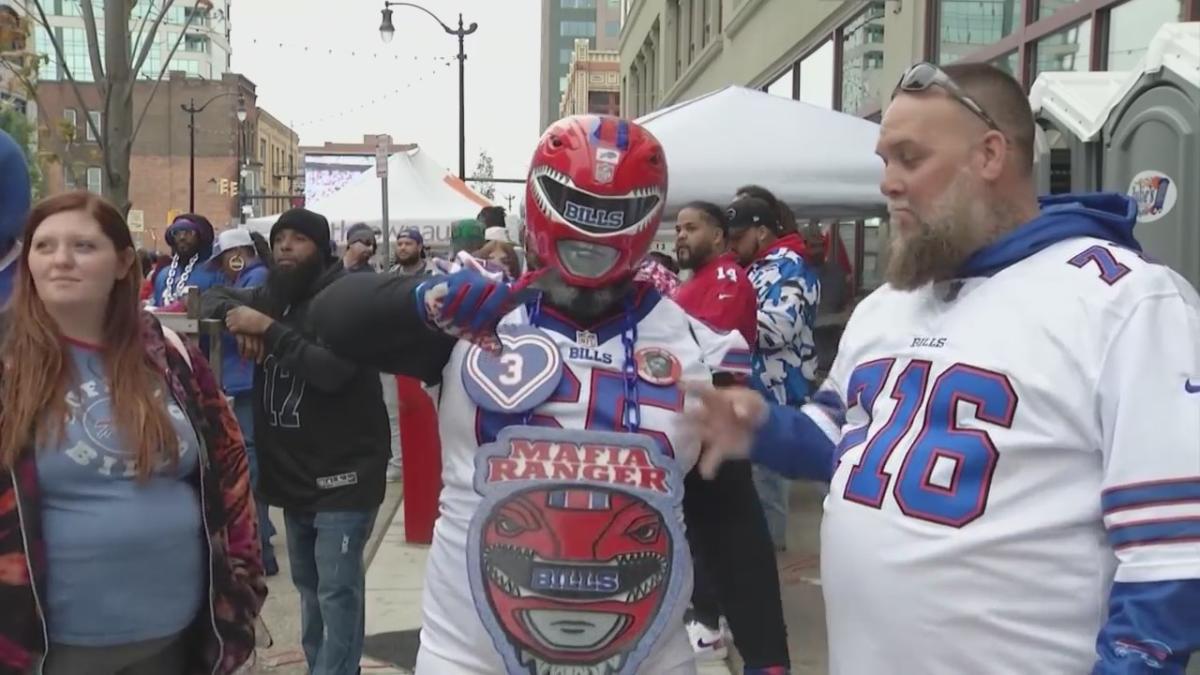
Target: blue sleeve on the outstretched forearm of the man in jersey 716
<point x="791" y="444"/>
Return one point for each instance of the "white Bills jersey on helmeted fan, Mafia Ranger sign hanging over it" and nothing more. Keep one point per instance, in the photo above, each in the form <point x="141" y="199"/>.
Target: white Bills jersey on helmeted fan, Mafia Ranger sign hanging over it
<point x="561" y="549"/>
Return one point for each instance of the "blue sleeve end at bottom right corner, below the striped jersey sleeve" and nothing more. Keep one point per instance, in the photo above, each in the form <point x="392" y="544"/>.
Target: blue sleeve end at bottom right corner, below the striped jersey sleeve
<point x="1153" y="628"/>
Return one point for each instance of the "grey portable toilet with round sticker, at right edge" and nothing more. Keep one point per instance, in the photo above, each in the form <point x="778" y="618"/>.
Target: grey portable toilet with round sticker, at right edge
<point x="1153" y="148"/>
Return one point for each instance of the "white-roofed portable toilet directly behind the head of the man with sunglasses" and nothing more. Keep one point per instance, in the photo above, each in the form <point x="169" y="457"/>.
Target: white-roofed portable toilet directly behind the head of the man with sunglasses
<point x="1071" y="110"/>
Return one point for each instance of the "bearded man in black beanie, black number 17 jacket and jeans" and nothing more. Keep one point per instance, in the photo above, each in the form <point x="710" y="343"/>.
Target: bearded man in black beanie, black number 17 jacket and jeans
<point x="322" y="435"/>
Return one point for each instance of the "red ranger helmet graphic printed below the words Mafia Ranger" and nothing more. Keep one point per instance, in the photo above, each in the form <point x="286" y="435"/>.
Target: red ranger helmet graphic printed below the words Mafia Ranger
<point x="575" y="576"/>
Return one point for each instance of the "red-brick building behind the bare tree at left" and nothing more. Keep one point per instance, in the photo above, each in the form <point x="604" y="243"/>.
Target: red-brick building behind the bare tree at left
<point x="160" y="163"/>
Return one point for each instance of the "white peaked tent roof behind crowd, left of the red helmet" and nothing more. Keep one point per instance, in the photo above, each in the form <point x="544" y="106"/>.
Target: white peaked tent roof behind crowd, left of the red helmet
<point x="421" y="194"/>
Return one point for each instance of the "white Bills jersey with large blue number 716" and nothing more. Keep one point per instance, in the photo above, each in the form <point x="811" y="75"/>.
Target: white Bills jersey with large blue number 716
<point x="1011" y="447"/>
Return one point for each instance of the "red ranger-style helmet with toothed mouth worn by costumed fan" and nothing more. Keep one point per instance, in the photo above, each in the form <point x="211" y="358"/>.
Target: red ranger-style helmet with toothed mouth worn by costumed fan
<point x="595" y="199"/>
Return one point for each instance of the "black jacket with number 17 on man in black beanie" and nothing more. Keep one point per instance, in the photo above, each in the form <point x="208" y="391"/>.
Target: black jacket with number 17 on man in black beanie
<point x="321" y="427"/>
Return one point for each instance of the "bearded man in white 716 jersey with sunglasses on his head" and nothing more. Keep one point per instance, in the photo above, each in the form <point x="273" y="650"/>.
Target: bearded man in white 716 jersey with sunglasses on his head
<point x="1010" y="428"/>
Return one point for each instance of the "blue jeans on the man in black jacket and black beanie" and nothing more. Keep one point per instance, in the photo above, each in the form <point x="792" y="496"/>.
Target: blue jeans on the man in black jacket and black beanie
<point x="328" y="570"/>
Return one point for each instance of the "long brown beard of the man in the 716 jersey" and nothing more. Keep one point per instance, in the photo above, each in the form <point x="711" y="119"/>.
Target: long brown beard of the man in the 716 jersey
<point x="959" y="224"/>
